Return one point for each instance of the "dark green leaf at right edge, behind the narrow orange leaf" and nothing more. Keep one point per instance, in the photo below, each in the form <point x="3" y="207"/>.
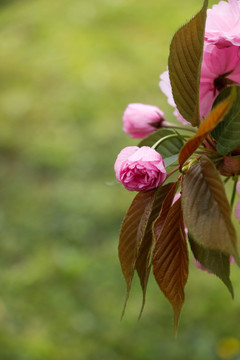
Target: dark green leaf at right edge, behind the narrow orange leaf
<point x="227" y="133"/>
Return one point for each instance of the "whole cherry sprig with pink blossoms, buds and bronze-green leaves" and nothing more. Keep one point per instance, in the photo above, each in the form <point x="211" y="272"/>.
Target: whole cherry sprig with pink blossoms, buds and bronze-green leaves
<point x="202" y="83"/>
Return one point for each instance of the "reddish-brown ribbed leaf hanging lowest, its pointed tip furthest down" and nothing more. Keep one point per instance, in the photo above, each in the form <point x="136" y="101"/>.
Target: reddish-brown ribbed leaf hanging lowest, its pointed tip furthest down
<point x="170" y="259"/>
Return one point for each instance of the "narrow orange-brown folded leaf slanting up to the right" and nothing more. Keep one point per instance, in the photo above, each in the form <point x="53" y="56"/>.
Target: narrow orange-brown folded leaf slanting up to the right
<point x="211" y="121"/>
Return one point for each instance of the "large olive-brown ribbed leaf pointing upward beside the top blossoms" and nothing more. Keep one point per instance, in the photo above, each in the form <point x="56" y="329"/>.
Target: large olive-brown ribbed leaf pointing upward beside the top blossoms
<point x="184" y="65"/>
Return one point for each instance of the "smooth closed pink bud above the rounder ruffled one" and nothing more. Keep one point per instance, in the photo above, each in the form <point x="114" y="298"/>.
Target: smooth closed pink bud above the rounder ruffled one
<point x="140" y="120"/>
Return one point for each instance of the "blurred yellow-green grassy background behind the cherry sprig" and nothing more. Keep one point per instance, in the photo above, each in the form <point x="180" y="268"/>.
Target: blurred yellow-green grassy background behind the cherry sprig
<point x="68" y="69"/>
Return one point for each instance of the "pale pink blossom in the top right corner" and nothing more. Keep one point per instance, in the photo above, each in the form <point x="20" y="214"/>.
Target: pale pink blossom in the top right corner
<point x="223" y="24"/>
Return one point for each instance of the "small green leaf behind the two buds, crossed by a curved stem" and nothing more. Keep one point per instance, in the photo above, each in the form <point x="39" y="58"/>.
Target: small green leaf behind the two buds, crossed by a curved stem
<point x="168" y="149"/>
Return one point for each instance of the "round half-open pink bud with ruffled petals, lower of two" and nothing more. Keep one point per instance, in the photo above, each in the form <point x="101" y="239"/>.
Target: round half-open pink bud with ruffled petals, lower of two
<point x="140" y="168"/>
